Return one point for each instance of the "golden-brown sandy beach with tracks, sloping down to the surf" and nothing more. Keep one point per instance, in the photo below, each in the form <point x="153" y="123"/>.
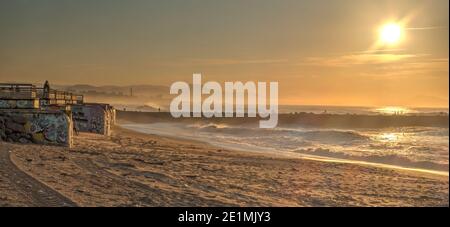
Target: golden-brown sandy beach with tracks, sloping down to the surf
<point x="134" y="169"/>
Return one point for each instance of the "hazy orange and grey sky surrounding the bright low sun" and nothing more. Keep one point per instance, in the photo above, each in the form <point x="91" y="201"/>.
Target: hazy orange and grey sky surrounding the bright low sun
<point x="322" y="52"/>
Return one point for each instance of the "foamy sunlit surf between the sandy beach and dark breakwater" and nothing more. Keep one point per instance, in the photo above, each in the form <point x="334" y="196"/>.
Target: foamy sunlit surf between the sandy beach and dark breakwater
<point x="411" y="147"/>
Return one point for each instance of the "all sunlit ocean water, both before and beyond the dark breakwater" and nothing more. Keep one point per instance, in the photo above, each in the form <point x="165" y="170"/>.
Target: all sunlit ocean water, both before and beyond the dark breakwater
<point x="418" y="147"/>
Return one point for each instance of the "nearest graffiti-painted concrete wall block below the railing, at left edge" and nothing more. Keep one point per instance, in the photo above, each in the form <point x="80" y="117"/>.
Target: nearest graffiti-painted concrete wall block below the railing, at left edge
<point x="36" y="127"/>
